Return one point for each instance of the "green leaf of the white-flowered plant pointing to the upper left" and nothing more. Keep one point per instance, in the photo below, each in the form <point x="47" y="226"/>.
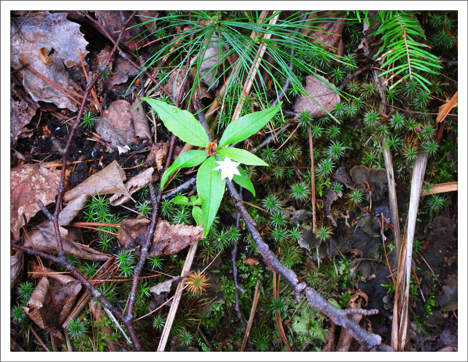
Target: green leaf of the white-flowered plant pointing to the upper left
<point x="182" y="123"/>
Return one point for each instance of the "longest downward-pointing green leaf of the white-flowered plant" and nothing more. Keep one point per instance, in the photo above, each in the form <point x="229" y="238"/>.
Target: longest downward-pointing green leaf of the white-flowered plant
<point x="210" y="188"/>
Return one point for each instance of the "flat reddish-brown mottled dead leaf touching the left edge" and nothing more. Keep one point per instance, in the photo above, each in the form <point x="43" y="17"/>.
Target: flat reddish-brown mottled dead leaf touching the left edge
<point x="30" y="183"/>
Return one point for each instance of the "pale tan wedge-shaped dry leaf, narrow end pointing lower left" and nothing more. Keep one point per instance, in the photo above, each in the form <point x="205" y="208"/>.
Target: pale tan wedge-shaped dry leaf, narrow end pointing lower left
<point x="107" y="181"/>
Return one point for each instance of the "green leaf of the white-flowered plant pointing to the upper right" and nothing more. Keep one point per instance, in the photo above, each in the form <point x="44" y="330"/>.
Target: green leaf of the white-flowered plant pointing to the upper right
<point x="248" y="125"/>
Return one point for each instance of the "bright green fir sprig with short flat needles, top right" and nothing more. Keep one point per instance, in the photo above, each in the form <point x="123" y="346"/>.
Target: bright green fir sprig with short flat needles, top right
<point x="400" y="45"/>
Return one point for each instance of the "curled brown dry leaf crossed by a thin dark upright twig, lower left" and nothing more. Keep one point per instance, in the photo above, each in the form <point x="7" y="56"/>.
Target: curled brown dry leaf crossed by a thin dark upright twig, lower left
<point x="42" y="237"/>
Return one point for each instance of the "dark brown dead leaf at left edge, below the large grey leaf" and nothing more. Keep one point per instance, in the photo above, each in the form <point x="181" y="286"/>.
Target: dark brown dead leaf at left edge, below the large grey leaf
<point x="23" y="108"/>
